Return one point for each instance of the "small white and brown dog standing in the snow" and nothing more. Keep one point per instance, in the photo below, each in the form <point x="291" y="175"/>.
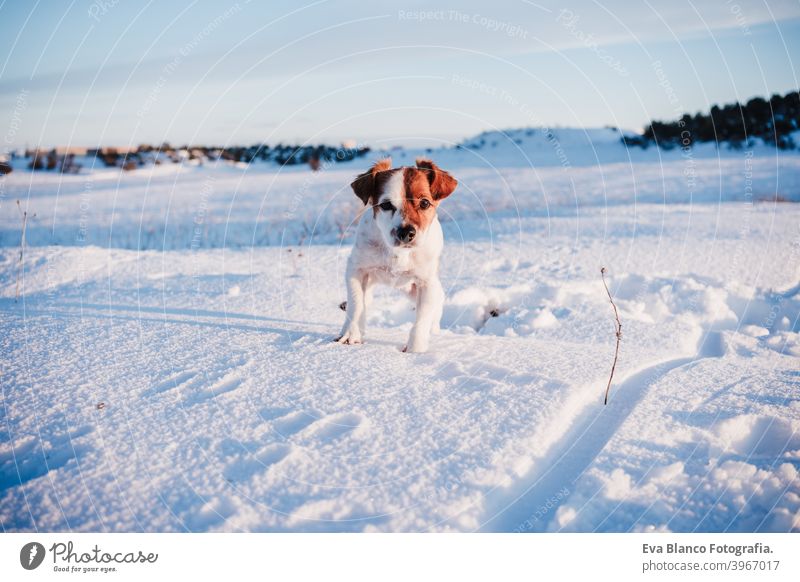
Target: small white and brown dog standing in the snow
<point x="398" y="244"/>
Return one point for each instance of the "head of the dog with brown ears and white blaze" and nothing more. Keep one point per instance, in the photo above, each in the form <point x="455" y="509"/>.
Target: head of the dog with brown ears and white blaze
<point x="404" y="200"/>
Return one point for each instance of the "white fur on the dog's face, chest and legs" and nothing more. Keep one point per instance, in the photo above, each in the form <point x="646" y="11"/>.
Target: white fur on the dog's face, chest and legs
<point x="378" y="257"/>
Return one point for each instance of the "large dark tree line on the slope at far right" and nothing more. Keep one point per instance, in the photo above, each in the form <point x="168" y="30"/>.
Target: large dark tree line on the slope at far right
<point x="772" y="121"/>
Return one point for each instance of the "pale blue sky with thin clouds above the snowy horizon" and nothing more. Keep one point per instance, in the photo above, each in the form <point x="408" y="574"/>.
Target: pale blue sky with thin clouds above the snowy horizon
<point x="114" y="73"/>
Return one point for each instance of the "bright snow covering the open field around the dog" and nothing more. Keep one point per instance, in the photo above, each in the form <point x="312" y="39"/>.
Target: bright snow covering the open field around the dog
<point x="169" y="366"/>
